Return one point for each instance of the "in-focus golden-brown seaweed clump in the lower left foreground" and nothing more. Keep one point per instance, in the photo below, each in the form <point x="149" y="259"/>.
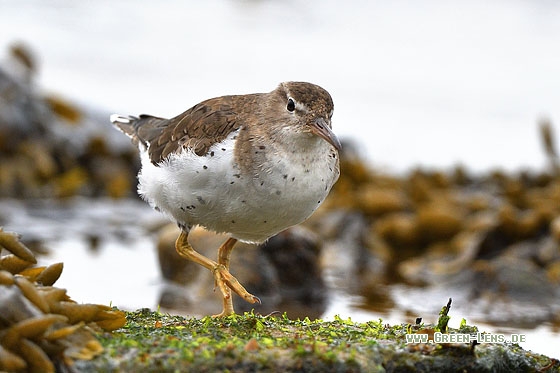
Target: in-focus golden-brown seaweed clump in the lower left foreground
<point x="41" y="327"/>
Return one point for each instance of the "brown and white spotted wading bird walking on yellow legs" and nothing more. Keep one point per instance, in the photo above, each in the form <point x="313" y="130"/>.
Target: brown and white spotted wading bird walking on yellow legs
<point x="247" y="165"/>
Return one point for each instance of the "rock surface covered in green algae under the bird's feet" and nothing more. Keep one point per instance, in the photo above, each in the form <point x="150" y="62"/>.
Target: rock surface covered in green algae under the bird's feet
<point x="156" y="342"/>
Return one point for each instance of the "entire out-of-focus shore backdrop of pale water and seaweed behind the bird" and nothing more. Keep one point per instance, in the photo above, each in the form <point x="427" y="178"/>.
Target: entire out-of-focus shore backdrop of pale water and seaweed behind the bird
<point x="447" y="110"/>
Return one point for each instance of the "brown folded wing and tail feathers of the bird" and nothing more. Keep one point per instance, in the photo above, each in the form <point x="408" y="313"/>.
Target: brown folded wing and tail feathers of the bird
<point x="196" y="129"/>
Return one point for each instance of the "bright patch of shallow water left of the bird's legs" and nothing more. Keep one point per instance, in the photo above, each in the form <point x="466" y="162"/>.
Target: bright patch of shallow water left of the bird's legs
<point x="106" y="246"/>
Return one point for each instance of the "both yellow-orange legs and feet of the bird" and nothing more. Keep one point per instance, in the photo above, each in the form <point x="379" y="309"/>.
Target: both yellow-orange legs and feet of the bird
<point x="224" y="280"/>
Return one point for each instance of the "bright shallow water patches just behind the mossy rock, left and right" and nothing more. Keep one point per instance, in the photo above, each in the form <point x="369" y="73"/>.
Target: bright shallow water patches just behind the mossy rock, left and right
<point x="109" y="257"/>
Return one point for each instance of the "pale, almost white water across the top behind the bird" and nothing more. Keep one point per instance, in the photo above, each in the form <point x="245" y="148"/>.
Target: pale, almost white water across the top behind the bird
<point x="429" y="83"/>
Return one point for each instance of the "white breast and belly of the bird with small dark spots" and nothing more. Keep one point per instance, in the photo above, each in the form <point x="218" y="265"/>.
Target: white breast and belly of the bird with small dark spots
<point x="211" y="190"/>
